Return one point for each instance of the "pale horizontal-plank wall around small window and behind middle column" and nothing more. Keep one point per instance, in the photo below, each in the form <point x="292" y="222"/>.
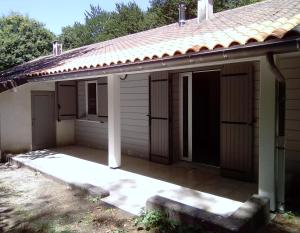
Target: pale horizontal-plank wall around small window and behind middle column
<point x="134" y="119"/>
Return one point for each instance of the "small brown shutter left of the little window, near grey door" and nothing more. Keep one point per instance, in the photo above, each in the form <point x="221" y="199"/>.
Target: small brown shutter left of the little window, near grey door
<point x="66" y="100"/>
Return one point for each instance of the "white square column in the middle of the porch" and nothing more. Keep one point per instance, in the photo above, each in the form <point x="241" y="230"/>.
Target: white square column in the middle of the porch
<point x="114" y="125"/>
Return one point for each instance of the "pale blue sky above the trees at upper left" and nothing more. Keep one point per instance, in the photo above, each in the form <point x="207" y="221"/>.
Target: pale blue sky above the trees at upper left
<point x="58" y="13"/>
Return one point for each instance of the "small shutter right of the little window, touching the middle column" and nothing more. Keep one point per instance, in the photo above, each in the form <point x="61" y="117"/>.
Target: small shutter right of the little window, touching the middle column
<point x="102" y="97"/>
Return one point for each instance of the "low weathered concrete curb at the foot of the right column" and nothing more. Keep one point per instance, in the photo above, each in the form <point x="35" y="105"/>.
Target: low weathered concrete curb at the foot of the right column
<point x="249" y="218"/>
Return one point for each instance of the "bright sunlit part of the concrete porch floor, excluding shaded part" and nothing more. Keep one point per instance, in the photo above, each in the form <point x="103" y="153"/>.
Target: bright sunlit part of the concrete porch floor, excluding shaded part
<point x="128" y="191"/>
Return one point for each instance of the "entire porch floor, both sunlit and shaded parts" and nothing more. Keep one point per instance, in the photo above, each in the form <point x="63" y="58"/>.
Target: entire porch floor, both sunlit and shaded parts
<point x="138" y="179"/>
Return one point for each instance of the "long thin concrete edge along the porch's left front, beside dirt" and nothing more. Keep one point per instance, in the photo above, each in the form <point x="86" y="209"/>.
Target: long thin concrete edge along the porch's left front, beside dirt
<point x="85" y="188"/>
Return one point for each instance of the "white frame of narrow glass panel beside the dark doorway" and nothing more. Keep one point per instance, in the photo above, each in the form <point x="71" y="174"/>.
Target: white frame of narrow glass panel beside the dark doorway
<point x="190" y="110"/>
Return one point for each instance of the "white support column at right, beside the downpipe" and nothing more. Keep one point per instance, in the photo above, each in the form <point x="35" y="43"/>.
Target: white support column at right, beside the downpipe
<point x="267" y="133"/>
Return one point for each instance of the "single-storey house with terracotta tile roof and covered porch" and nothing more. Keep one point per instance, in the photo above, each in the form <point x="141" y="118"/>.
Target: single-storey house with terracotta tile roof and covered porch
<point x="222" y="89"/>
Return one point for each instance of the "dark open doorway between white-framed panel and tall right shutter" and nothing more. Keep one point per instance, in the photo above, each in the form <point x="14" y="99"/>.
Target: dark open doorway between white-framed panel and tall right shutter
<point x="206" y="117"/>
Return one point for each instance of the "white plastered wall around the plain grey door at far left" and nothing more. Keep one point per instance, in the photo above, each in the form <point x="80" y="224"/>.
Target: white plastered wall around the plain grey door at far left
<point x="15" y="115"/>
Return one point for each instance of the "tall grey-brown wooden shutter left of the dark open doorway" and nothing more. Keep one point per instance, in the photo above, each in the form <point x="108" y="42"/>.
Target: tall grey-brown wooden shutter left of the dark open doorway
<point x="160" y="149"/>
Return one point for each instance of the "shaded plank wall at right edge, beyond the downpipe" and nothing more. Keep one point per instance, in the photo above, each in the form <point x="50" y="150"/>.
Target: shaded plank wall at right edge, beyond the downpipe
<point x="290" y="67"/>
